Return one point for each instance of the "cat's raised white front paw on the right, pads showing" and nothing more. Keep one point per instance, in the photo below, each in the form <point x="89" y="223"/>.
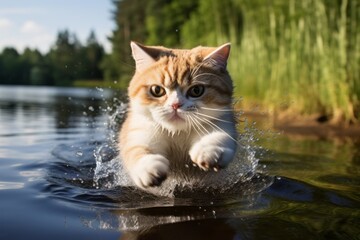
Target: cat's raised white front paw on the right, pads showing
<point x="213" y="151"/>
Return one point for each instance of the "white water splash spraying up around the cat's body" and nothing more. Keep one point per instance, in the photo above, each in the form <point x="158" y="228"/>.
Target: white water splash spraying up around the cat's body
<point x="109" y="172"/>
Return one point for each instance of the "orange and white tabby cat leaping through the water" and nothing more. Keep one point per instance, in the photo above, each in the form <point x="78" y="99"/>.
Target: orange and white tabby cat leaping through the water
<point x="180" y="114"/>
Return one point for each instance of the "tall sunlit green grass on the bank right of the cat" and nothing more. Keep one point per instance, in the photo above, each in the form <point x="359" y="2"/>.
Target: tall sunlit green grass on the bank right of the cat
<point x="299" y="56"/>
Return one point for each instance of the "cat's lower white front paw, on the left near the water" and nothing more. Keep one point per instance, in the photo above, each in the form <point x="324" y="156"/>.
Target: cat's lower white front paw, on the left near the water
<point x="150" y="170"/>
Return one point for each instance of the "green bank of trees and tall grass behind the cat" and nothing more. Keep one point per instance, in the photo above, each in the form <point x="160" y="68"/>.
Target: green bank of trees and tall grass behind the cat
<point x="283" y="51"/>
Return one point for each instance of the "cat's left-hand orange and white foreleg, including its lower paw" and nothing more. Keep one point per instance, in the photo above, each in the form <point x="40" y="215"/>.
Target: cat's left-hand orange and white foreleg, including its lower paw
<point x="140" y="156"/>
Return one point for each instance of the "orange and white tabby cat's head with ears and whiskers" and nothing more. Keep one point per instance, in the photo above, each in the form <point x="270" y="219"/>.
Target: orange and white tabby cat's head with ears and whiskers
<point x="179" y="89"/>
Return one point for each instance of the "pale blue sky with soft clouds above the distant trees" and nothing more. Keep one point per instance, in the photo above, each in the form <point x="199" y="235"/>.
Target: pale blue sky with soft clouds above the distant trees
<point x="36" y="23"/>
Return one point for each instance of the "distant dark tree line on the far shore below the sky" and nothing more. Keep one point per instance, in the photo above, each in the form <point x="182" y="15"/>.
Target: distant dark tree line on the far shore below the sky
<point x="67" y="60"/>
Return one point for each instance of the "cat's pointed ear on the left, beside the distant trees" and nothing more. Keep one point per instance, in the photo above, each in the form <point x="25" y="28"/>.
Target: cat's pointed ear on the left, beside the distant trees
<point x="143" y="56"/>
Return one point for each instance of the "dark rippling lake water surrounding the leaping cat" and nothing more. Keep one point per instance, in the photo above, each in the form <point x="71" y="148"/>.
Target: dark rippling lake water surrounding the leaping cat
<point x="60" y="179"/>
